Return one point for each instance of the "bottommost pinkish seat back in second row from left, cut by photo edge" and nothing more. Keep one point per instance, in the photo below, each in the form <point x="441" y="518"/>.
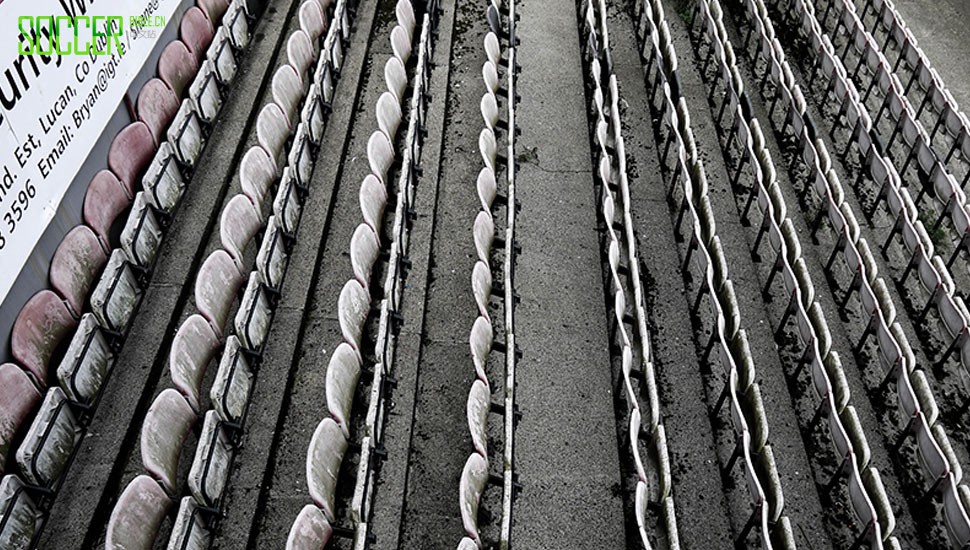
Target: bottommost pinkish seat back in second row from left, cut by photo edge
<point x="137" y="516"/>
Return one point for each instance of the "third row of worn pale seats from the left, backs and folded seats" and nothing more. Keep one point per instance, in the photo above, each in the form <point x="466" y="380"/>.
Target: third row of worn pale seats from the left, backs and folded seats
<point x="316" y="523"/>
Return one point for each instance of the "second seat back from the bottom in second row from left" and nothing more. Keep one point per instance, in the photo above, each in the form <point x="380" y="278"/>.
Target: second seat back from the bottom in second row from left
<point x="167" y="423"/>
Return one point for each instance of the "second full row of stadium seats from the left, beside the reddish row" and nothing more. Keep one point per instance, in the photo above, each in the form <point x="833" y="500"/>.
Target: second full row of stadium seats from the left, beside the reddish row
<point x="288" y="131"/>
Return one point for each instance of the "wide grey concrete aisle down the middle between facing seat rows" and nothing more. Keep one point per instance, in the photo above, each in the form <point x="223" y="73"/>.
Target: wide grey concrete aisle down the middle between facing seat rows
<point x="566" y="448"/>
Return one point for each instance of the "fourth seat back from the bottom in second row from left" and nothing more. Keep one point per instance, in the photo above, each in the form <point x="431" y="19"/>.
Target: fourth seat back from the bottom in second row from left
<point x="216" y="287"/>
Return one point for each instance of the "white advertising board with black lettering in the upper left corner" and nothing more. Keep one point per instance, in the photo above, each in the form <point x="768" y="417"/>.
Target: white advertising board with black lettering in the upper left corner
<point x="55" y="100"/>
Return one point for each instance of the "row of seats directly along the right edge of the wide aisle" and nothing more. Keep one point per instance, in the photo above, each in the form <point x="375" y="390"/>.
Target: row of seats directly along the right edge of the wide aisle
<point x="654" y="486"/>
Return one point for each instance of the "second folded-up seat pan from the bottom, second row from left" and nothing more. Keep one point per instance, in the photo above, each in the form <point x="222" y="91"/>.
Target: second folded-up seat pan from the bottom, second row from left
<point x="210" y="467"/>
